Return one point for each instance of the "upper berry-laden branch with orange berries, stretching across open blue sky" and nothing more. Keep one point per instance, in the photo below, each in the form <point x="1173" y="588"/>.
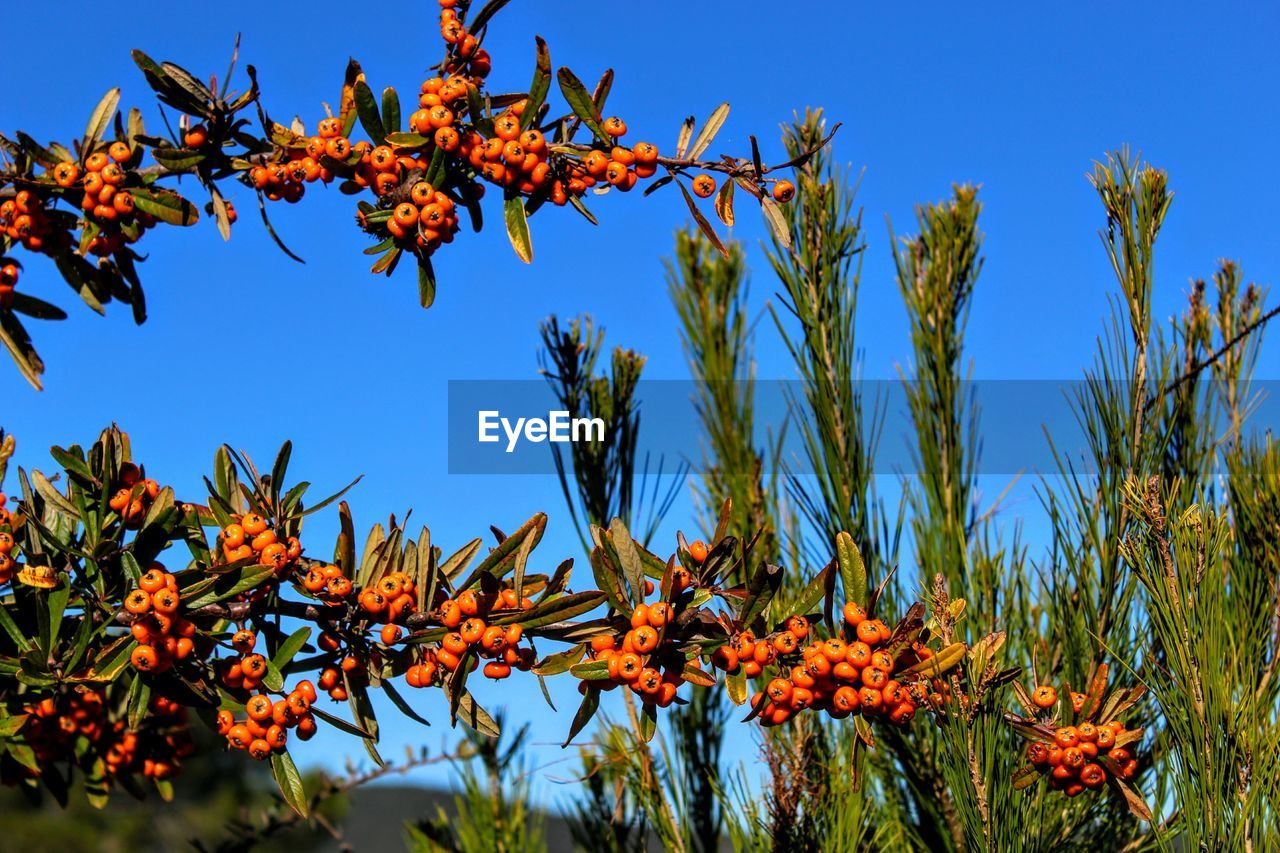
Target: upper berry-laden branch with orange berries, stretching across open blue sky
<point x="88" y="206"/>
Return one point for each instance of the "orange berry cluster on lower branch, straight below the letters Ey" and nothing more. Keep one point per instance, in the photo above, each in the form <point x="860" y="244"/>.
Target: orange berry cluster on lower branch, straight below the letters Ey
<point x="472" y="619"/>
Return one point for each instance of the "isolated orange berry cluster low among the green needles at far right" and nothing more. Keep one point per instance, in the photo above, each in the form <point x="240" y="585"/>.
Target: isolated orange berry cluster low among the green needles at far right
<point x="1084" y="756"/>
